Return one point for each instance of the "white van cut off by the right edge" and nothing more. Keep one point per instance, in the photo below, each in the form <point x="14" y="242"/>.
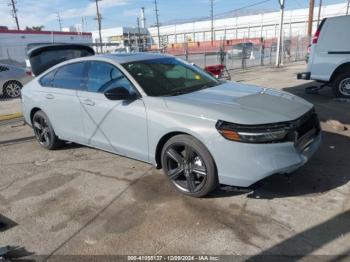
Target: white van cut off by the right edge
<point x="329" y="58"/>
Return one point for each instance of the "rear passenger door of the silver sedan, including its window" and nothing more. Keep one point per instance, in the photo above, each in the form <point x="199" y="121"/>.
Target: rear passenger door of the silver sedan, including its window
<point x="59" y="100"/>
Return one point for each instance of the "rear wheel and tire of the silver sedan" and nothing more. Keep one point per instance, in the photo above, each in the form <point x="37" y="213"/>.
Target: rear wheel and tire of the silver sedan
<point x="44" y="132"/>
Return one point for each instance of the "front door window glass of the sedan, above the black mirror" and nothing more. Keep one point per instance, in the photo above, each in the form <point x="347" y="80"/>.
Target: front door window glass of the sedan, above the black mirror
<point x="103" y="76"/>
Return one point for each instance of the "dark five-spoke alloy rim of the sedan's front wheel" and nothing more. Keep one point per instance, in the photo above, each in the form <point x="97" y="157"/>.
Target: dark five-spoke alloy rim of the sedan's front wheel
<point x="185" y="168"/>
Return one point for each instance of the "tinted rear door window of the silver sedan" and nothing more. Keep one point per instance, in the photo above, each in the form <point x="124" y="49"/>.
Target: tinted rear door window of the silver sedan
<point x="69" y="76"/>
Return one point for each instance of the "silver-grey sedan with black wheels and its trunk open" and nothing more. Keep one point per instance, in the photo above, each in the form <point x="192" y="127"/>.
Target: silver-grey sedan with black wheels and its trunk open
<point x="164" y="111"/>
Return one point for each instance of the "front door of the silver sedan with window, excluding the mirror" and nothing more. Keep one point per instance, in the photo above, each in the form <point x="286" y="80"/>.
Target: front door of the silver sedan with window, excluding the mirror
<point x="118" y="126"/>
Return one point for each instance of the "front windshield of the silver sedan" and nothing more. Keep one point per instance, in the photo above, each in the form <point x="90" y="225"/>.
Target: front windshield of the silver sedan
<point x="169" y="76"/>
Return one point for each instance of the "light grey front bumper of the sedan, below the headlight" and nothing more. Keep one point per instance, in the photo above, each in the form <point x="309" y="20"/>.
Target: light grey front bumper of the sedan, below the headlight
<point x="241" y="164"/>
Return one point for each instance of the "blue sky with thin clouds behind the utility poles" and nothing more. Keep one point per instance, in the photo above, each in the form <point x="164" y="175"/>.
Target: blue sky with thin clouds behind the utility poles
<point x="125" y="12"/>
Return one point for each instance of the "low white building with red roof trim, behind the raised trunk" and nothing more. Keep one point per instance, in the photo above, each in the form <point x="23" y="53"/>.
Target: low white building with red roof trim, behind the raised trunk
<point x="14" y="44"/>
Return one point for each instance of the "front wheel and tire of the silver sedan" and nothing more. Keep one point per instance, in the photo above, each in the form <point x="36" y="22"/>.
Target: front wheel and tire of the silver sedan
<point x="189" y="166"/>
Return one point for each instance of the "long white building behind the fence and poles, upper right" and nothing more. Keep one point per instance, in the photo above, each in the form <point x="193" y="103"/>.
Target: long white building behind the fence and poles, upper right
<point x="250" y="26"/>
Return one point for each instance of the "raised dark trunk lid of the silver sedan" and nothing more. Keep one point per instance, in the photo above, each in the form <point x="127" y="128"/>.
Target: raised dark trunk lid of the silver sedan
<point x="44" y="57"/>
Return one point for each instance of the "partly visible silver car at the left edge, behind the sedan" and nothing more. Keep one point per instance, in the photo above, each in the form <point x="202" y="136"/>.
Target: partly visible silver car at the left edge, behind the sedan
<point x="12" y="79"/>
